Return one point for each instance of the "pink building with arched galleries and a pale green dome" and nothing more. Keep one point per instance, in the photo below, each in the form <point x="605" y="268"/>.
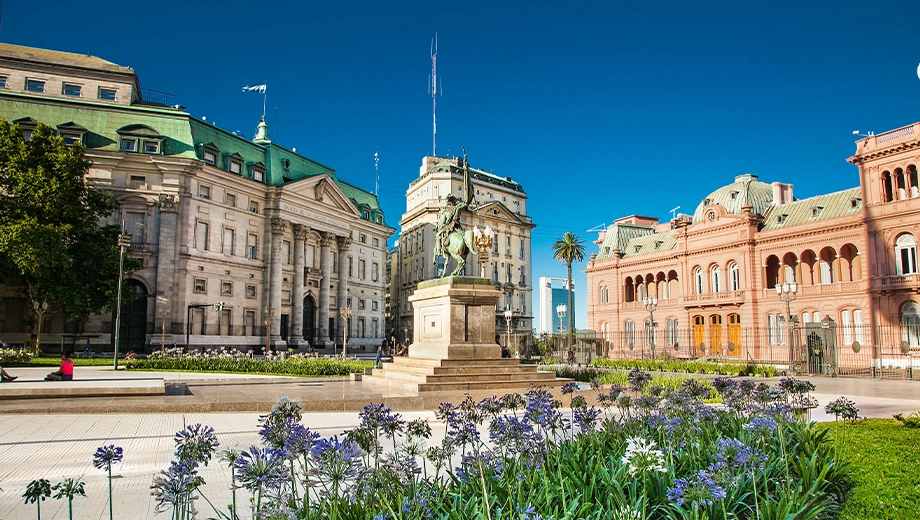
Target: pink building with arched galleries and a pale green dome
<point x="706" y="284"/>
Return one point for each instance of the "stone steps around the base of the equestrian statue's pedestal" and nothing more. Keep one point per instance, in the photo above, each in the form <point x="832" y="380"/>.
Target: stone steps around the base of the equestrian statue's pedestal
<point x="433" y="375"/>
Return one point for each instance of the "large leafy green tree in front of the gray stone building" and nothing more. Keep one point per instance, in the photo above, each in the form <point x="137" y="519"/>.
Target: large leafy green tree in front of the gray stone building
<point x="53" y="240"/>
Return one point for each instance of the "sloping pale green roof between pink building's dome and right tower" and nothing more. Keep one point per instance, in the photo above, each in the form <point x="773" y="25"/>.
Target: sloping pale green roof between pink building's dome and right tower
<point x="815" y="209"/>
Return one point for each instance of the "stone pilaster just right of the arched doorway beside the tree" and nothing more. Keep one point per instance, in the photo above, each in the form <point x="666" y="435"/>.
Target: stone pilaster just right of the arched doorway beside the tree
<point x="166" y="269"/>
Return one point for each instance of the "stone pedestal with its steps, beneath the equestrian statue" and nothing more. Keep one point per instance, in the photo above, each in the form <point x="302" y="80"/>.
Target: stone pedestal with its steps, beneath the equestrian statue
<point x="455" y="348"/>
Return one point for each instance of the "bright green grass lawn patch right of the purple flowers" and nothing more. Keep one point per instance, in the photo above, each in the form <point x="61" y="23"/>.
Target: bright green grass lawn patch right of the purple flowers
<point x="884" y="458"/>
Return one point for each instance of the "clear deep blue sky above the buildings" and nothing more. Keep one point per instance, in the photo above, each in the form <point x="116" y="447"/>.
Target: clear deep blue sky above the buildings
<point x="599" y="109"/>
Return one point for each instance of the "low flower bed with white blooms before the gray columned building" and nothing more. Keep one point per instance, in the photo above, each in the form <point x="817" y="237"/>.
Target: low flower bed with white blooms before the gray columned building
<point x="235" y="361"/>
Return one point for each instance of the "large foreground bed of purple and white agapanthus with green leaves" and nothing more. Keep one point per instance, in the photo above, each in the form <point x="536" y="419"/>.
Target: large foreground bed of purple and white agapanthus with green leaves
<point x="518" y="457"/>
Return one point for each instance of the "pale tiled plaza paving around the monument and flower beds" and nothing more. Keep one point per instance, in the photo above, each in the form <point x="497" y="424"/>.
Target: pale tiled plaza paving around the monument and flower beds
<point x="36" y="443"/>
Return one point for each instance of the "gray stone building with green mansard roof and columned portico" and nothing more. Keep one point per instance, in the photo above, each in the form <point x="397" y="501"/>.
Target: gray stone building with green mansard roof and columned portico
<point x="277" y="238"/>
